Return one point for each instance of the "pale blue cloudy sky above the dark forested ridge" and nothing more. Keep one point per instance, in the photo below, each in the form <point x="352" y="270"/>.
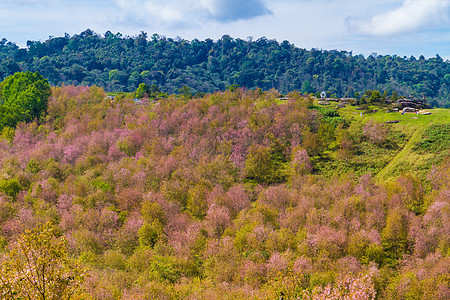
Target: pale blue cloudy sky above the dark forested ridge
<point x="402" y="27"/>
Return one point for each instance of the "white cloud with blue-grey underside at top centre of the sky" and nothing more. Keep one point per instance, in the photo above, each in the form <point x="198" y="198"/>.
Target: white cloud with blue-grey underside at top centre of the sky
<point x="193" y="12"/>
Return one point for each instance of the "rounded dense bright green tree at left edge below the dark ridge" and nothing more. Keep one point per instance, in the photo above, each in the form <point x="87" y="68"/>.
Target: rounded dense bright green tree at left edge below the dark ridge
<point x="23" y="97"/>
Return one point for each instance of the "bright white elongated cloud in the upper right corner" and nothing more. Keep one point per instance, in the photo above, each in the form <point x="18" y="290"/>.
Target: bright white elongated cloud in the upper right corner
<point x="412" y="16"/>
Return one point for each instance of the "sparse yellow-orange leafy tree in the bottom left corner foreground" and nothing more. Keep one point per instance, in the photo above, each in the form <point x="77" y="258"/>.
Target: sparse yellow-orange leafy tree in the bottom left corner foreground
<point x="37" y="267"/>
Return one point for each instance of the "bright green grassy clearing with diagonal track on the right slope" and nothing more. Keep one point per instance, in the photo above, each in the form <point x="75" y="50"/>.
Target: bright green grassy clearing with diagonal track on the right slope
<point x="384" y="164"/>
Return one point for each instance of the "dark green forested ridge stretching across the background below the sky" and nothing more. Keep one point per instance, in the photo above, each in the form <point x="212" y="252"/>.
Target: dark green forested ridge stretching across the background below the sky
<point x="121" y="63"/>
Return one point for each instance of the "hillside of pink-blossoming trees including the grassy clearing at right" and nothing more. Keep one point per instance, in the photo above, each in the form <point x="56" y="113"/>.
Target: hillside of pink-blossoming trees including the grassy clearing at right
<point x="234" y="195"/>
